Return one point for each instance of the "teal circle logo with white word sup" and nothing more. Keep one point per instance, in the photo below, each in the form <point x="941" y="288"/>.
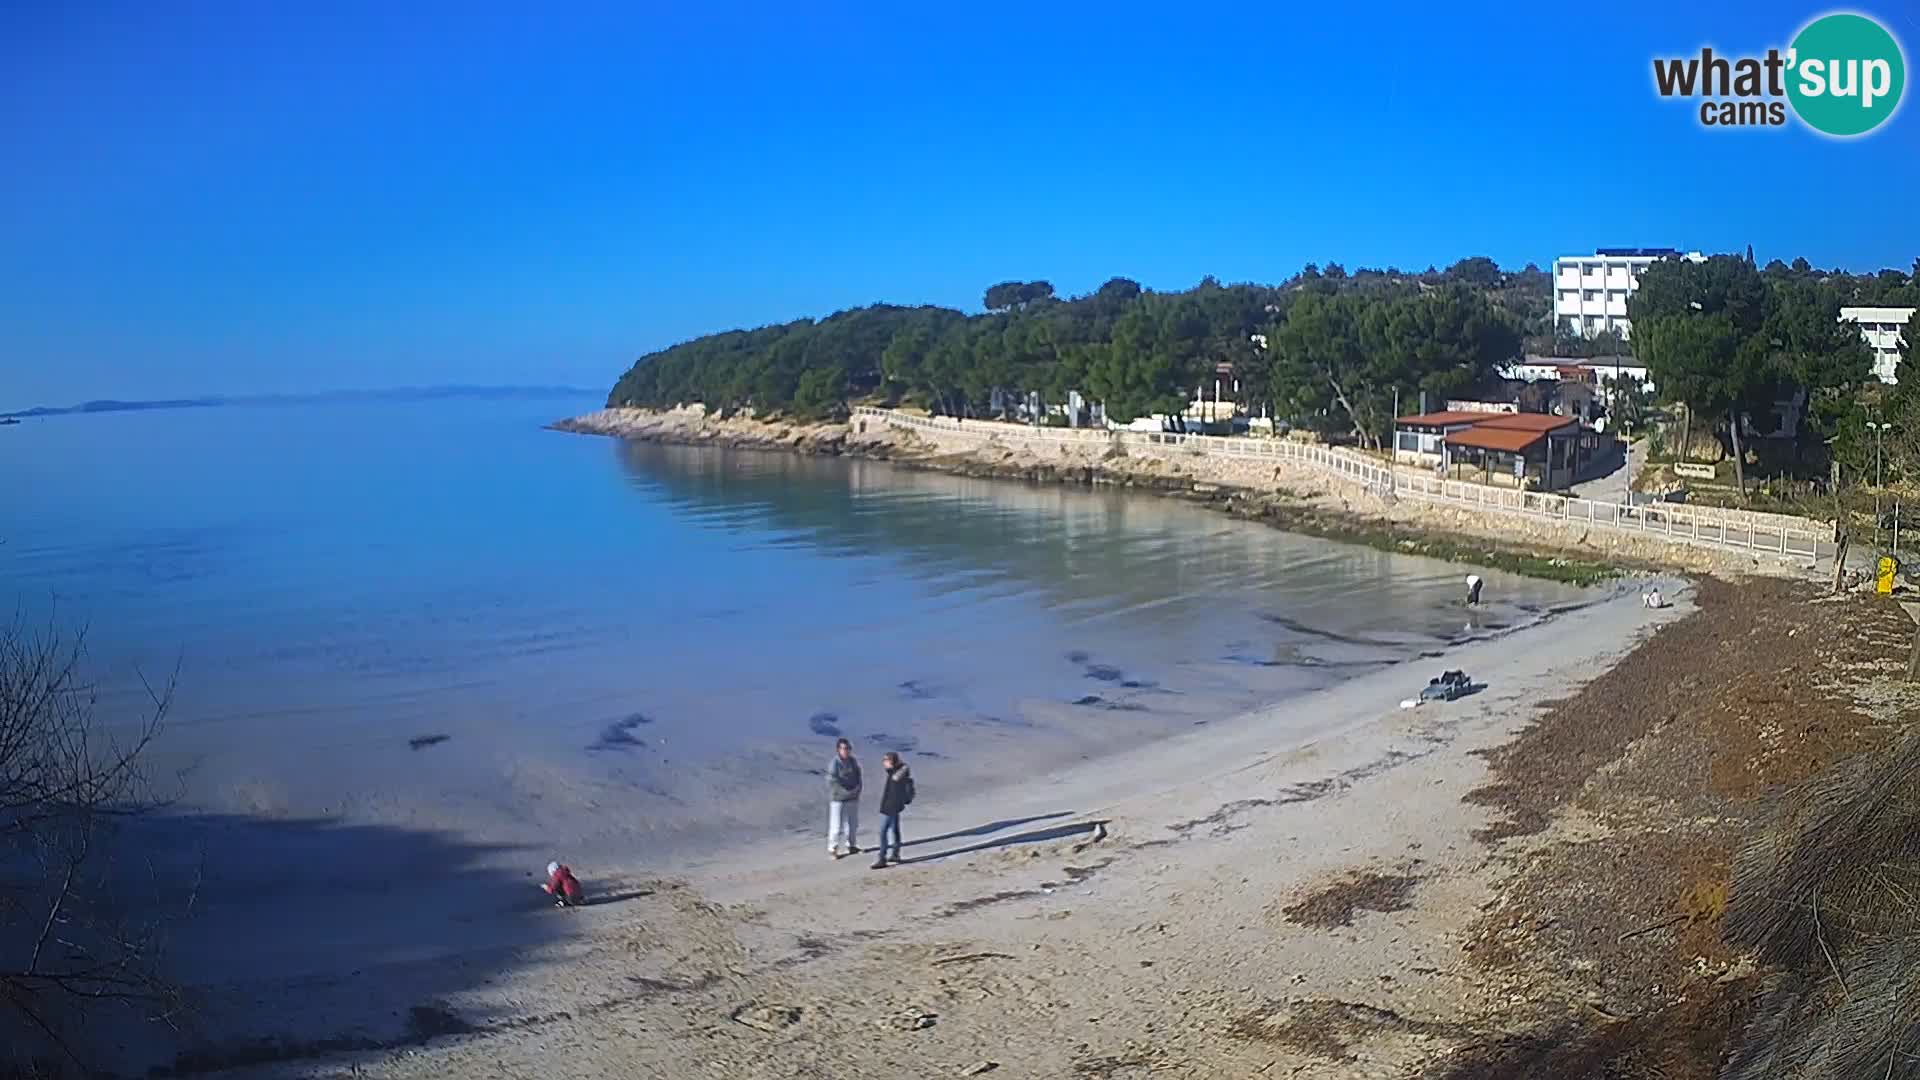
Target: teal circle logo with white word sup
<point x="1846" y="76"/>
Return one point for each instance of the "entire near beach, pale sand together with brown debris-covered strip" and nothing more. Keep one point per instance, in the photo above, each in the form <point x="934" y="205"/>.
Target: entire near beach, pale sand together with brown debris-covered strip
<point x="1332" y="887"/>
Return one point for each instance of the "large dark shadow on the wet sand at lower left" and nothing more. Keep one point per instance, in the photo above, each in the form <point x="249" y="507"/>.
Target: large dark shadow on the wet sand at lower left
<point x="312" y="939"/>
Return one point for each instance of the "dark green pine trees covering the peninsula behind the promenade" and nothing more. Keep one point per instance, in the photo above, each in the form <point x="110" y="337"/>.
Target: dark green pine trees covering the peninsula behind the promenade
<point x="1326" y="349"/>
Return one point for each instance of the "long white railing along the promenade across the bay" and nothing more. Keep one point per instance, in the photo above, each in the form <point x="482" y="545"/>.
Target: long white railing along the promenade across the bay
<point x="1668" y="522"/>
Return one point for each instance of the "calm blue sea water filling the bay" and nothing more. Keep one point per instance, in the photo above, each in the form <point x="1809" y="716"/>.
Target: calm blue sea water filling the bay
<point x="444" y="616"/>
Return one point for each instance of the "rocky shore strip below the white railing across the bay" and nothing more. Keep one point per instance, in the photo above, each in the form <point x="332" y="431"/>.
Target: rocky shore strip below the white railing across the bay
<point x="1278" y="497"/>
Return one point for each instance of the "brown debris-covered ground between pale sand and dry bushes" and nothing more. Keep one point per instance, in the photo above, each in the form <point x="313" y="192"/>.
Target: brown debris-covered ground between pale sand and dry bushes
<point x="1669" y="758"/>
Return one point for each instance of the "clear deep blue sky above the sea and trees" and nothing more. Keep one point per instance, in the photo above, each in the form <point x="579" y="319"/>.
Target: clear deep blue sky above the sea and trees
<point x="243" y="199"/>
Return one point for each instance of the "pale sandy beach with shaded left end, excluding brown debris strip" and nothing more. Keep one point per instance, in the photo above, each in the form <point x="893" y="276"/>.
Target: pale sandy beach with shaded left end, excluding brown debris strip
<point x="1188" y="910"/>
